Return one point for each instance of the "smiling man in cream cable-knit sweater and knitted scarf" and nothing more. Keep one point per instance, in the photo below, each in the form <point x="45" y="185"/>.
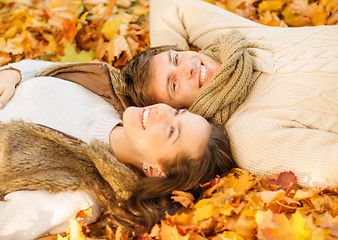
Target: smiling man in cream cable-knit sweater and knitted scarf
<point x="274" y="89"/>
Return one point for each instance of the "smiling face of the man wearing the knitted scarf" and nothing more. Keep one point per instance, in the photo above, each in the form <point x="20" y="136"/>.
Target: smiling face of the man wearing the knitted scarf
<point x="177" y="77"/>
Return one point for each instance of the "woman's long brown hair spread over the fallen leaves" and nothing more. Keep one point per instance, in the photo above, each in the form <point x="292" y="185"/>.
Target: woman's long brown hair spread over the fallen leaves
<point x="151" y="199"/>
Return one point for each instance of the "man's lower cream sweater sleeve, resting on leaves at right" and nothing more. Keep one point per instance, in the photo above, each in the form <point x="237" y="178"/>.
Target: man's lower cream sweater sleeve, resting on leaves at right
<point x="265" y="146"/>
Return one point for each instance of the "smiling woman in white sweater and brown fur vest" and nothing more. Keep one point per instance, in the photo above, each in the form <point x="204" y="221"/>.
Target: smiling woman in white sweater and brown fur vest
<point x="52" y="175"/>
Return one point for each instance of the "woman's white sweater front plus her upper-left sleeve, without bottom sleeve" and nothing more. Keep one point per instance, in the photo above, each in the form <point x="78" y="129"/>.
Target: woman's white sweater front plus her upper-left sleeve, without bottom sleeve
<point x="59" y="104"/>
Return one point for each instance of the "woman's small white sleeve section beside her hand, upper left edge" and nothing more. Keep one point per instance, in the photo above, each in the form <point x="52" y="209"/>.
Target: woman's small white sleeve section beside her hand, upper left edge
<point x="29" y="68"/>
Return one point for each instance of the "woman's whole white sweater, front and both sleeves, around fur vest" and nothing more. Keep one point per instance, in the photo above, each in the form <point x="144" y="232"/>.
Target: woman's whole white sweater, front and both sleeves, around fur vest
<point x="66" y="107"/>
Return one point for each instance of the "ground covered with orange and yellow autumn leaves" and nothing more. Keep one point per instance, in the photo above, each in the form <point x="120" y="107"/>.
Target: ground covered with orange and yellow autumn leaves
<point x="238" y="206"/>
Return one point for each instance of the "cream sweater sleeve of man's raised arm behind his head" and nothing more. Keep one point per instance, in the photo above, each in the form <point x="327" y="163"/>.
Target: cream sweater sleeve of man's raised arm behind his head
<point x="183" y="22"/>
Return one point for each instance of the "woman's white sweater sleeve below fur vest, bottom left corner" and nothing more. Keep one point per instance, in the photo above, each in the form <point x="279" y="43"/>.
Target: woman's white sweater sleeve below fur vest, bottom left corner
<point x="31" y="214"/>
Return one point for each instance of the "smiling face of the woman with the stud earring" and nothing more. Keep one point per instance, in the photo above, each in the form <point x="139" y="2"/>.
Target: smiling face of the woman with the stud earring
<point x="161" y="132"/>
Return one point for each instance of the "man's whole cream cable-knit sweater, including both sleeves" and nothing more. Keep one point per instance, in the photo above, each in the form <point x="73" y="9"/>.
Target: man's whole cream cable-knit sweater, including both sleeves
<point x="289" y="121"/>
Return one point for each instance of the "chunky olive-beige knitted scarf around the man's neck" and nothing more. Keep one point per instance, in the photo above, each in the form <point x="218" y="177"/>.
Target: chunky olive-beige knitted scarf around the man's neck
<point x="231" y="84"/>
